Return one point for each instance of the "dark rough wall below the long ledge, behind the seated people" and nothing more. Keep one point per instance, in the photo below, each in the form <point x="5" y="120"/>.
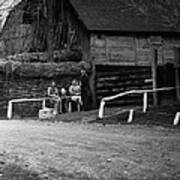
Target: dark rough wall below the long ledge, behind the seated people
<point x="27" y="88"/>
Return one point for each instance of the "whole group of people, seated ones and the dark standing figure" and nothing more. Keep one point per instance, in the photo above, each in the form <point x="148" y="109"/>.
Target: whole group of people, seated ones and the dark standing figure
<point x="78" y="92"/>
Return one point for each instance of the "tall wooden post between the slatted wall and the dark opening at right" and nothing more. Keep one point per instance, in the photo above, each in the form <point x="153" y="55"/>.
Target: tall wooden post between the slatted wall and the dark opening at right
<point x="154" y="75"/>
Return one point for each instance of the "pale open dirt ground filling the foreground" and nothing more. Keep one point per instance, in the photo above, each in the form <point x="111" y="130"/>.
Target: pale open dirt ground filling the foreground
<point x="90" y="151"/>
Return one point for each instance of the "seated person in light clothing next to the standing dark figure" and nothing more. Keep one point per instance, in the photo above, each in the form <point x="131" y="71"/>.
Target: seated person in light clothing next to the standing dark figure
<point x="75" y="92"/>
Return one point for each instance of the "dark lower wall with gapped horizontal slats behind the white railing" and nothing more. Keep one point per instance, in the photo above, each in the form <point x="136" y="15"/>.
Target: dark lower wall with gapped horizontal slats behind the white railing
<point x="111" y="80"/>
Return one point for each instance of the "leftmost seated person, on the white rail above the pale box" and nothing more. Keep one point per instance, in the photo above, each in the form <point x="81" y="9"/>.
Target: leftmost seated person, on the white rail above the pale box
<point x="54" y="96"/>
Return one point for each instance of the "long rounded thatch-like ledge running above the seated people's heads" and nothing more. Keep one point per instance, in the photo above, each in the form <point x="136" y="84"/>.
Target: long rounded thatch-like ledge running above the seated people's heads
<point x="42" y="70"/>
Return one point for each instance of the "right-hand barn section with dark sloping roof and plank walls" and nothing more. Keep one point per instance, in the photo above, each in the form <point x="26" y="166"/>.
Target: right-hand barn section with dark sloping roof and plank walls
<point x="123" y="43"/>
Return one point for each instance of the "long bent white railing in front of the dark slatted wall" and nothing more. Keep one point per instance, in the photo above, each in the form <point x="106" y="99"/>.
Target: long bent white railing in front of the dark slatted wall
<point x="145" y="98"/>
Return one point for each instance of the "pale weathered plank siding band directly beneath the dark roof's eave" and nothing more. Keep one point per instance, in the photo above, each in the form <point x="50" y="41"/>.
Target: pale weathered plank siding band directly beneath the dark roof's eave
<point x="130" y="50"/>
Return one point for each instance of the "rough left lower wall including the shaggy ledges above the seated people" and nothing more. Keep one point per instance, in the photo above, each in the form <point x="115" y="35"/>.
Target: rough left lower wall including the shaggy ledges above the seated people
<point x="28" y="75"/>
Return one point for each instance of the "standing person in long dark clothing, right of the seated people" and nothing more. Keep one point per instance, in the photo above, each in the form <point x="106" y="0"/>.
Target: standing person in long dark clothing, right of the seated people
<point x="85" y="90"/>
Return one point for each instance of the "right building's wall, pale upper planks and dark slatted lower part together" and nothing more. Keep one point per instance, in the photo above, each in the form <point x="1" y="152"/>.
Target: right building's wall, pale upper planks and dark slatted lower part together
<point x="124" y="63"/>
